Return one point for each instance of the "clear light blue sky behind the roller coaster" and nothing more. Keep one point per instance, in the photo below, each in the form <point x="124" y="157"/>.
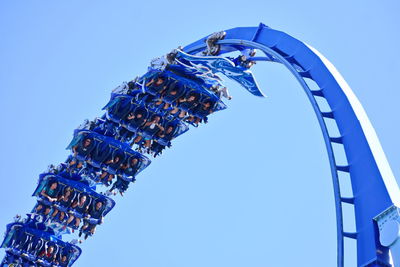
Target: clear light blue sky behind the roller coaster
<point x="251" y="188"/>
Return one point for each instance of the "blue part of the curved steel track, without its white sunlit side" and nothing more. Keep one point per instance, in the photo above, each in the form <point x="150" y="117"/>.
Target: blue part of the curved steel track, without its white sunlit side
<point x="370" y="193"/>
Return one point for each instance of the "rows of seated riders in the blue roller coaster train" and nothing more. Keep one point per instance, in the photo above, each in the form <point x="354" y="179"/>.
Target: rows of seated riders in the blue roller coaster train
<point x="145" y="114"/>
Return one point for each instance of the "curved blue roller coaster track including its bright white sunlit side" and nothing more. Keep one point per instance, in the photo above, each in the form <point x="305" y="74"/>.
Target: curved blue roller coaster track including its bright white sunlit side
<point x="376" y="194"/>
